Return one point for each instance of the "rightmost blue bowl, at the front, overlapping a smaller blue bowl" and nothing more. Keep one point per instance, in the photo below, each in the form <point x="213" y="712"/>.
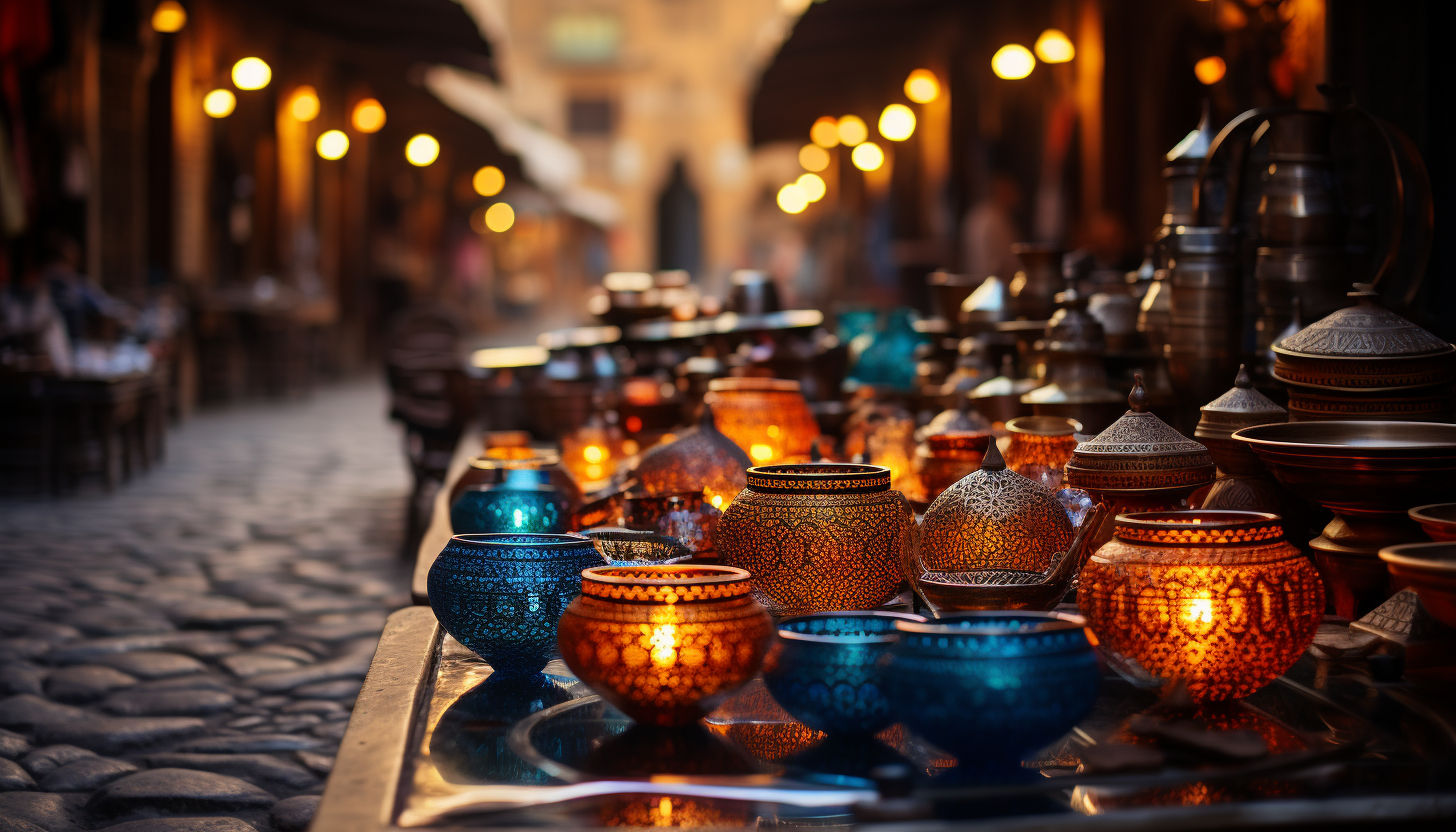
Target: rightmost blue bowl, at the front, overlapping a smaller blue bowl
<point x="994" y="687"/>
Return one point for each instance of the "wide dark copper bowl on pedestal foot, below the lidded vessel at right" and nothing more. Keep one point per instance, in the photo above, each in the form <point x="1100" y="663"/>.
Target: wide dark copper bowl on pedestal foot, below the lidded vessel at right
<point x="1369" y="474"/>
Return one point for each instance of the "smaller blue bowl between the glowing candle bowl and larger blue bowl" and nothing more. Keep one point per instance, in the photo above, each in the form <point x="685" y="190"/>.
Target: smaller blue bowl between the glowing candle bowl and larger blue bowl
<point x="826" y="670"/>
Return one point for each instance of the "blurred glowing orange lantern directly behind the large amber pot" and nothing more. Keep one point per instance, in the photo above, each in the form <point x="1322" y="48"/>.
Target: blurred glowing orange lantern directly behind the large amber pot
<point x="768" y="419"/>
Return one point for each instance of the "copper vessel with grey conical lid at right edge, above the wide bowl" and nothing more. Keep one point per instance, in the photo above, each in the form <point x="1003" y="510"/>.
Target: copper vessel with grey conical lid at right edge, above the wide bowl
<point x="1366" y="364"/>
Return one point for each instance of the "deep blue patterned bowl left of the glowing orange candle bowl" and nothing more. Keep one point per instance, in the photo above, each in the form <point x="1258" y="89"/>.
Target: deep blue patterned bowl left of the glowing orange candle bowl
<point x="502" y="595"/>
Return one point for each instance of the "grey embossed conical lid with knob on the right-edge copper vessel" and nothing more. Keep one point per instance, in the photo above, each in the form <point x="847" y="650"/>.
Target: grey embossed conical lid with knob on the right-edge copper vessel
<point x="1365" y="330"/>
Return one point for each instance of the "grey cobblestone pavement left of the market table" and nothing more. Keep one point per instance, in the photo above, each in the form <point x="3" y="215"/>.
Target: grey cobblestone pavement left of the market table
<point x="183" y="655"/>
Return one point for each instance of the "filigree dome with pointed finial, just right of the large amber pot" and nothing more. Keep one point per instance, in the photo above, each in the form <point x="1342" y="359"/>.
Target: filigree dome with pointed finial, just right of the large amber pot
<point x="994" y="519"/>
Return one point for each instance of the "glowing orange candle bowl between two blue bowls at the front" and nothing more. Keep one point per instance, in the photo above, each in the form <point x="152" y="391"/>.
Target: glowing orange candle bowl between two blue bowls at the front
<point x="665" y="645"/>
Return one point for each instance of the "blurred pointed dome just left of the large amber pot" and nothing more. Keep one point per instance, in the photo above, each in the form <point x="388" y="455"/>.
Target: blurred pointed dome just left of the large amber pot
<point x="700" y="460"/>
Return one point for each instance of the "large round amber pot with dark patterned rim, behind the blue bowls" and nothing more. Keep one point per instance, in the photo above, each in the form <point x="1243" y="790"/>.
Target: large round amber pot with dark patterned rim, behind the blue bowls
<point x="819" y="537"/>
